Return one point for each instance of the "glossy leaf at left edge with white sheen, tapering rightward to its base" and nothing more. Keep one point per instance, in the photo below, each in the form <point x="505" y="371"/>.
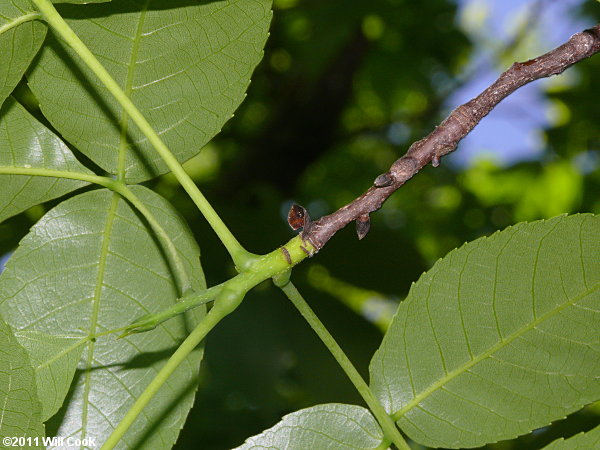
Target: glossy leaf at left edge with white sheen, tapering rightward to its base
<point x="26" y="143"/>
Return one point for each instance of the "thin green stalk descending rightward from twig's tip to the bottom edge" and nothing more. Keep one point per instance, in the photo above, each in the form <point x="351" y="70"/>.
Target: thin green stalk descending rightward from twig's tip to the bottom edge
<point x="385" y="421"/>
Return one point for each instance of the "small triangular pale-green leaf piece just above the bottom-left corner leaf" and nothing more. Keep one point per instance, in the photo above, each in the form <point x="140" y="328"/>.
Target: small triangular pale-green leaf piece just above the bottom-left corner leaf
<point x="53" y="366"/>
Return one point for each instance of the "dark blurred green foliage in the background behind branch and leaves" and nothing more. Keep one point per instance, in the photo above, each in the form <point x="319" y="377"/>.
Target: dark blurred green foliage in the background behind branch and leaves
<point x="344" y="88"/>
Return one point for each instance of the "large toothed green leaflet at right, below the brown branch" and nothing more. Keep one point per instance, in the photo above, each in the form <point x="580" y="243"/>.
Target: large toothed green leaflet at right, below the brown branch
<point x="500" y="337"/>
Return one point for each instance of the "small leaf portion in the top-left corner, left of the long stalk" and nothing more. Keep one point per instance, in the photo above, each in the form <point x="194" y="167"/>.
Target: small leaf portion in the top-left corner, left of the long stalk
<point x="20" y="40"/>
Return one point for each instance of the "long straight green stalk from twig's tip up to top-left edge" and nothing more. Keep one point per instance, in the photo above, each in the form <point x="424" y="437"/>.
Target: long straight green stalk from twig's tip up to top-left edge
<point x="240" y="256"/>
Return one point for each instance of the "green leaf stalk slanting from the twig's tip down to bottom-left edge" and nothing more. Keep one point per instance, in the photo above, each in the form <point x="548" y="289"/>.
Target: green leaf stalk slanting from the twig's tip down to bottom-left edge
<point x="223" y="306"/>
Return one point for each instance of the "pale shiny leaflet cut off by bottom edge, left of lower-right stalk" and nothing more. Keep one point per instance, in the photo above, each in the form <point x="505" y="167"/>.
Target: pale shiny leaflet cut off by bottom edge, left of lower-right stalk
<point x="331" y="426"/>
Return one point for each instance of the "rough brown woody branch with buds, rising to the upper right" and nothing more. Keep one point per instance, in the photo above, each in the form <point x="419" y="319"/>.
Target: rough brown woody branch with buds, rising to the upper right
<point x="449" y="133"/>
